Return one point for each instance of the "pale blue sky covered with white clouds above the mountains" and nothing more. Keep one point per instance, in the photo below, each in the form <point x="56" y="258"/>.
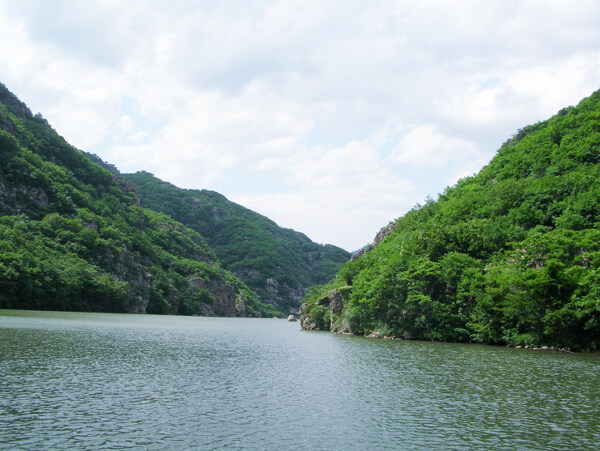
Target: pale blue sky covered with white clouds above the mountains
<point x="332" y="118"/>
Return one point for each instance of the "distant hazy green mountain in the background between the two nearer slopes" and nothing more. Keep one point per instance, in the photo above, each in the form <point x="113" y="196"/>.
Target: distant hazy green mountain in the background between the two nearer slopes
<point x="278" y="264"/>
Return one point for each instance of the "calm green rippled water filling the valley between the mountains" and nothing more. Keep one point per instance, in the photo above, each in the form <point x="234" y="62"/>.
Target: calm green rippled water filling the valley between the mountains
<point x="97" y="381"/>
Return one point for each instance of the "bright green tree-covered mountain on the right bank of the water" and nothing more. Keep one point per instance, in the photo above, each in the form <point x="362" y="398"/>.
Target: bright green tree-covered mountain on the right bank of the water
<point x="508" y="256"/>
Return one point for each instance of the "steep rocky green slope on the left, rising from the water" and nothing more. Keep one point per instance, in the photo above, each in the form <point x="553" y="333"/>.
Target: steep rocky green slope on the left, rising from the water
<point x="73" y="236"/>
